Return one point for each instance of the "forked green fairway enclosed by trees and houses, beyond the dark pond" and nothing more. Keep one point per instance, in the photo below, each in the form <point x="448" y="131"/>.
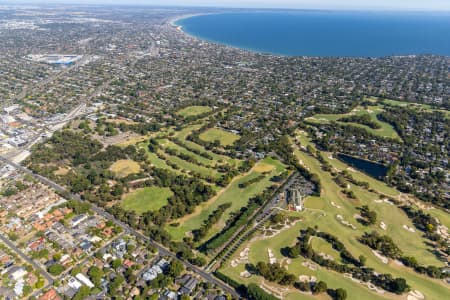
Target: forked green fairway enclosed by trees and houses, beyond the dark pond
<point x="386" y="129"/>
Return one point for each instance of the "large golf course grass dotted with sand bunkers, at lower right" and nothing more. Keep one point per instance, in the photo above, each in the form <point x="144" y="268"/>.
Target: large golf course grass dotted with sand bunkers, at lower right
<point x="322" y="211"/>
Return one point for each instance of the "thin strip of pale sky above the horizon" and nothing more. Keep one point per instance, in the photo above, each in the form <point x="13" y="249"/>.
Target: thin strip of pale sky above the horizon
<point x="427" y="5"/>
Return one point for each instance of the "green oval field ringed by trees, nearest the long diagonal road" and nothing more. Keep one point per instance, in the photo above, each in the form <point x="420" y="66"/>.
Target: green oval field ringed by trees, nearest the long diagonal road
<point x="146" y="199"/>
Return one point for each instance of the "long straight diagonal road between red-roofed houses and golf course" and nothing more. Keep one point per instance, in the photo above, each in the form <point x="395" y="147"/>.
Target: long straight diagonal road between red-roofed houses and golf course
<point x="162" y="250"/>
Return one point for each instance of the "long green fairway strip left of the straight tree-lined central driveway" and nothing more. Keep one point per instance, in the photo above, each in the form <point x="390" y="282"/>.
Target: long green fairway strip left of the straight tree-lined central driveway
<point x="231" y="194"/>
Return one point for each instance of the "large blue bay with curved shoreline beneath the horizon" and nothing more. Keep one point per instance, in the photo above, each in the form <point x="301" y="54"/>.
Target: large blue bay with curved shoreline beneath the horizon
<point x="326" y="33"/>
